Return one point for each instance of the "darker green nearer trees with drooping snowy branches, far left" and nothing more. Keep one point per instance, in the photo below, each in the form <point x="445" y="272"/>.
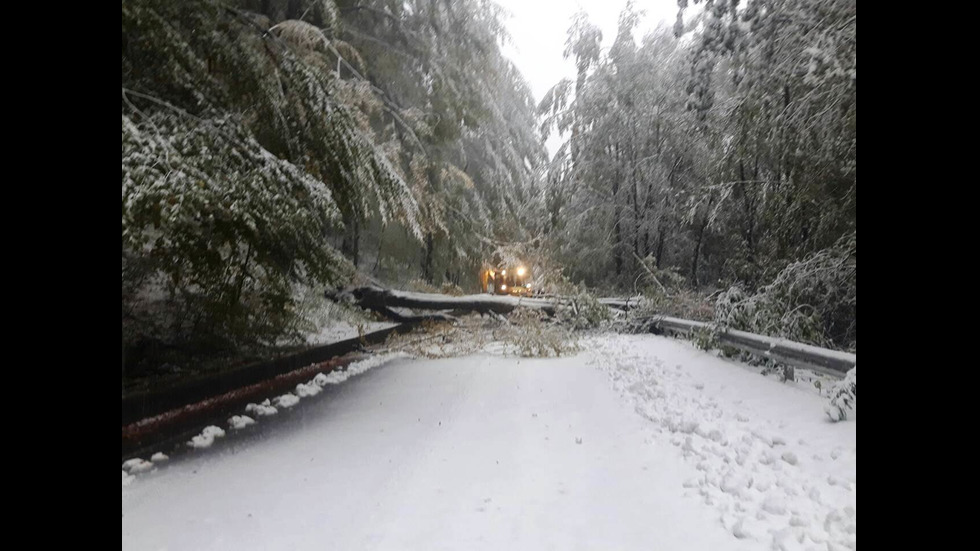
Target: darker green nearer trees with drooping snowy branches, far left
<point x="238" y="163"/>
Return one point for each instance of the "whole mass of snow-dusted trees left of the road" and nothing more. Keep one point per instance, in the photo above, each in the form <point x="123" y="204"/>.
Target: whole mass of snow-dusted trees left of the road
<point x="261" y="140"/>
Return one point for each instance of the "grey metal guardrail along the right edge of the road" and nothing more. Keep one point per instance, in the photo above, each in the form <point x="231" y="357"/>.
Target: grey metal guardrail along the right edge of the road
<point x="796" y="354"/>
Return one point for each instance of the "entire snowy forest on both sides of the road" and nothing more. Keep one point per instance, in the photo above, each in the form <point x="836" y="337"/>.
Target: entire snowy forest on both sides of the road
<point x="274" y="147"/>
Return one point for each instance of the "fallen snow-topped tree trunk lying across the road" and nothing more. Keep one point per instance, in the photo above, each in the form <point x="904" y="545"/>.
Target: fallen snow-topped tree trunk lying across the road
<point x="383" y="300"/>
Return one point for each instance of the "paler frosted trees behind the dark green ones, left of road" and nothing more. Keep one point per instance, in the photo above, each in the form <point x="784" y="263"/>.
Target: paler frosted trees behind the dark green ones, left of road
<point x="466" y="145"/>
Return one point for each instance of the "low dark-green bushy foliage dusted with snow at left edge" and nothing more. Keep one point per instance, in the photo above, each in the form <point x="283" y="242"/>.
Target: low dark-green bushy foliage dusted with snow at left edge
<point x="227" y="225"/>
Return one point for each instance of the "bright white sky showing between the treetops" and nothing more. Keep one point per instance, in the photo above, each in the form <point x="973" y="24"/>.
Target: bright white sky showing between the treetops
<point x="538" y="30"/>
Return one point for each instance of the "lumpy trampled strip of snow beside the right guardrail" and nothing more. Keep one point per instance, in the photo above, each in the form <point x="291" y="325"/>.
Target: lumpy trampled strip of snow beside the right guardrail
<point x="770" y="462"/>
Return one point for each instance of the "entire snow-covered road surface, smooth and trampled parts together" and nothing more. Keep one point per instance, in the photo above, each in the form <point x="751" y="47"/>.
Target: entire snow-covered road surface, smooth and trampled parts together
<point x="617" y="448"/>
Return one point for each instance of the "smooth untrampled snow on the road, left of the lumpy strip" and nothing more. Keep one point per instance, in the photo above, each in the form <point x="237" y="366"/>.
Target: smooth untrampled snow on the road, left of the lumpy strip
<point x="480" y="452"/>
